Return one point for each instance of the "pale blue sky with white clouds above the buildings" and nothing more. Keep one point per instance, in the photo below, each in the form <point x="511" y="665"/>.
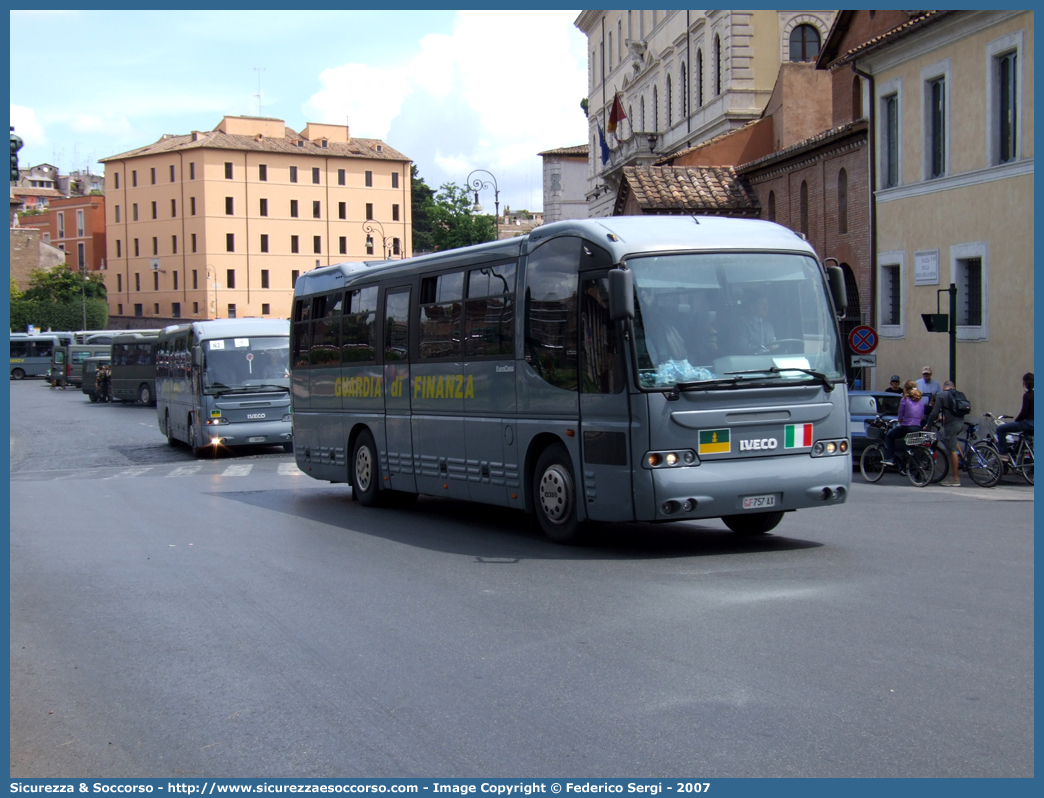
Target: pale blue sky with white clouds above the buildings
<point x="455" y="91"/>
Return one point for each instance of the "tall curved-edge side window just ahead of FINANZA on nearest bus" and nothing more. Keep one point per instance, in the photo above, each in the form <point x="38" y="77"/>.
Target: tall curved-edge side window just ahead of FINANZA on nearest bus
<point x="551" y="312"/>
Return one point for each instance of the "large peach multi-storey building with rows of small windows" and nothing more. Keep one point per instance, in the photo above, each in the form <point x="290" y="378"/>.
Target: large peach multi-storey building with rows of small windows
<point x="220" y="224"/>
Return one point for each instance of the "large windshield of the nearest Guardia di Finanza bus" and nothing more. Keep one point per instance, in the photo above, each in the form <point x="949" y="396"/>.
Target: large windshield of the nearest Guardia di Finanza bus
<point x="705" y="320"/>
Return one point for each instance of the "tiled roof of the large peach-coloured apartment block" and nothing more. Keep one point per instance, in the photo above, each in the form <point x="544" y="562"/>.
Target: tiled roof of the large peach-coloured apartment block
<point x="221" y="140"/>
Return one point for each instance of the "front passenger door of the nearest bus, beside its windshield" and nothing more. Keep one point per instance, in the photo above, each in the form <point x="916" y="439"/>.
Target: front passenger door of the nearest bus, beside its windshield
<point x="607" y="461"/>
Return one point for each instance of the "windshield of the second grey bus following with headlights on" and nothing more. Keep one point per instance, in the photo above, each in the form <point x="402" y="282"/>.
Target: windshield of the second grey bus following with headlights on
<point x="246" y="365"/>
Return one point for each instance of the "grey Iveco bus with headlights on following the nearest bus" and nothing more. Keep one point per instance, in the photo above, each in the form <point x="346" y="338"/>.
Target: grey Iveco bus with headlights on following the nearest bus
<point x="225" y="384"/>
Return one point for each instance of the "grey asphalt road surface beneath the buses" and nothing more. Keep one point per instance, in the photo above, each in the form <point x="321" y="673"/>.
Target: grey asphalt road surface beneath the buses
<point x="234" y="618"/>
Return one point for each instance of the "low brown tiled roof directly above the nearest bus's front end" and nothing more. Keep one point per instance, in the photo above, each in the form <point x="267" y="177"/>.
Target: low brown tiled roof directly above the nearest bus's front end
<point x="698" y="190"/>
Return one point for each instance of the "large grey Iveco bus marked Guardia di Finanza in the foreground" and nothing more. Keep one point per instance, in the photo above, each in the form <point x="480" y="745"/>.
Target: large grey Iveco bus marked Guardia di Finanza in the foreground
<point x="650" y="369"/>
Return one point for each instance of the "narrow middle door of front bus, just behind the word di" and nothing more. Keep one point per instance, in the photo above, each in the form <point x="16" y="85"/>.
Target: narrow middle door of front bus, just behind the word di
<point x="397" y="455"/>
